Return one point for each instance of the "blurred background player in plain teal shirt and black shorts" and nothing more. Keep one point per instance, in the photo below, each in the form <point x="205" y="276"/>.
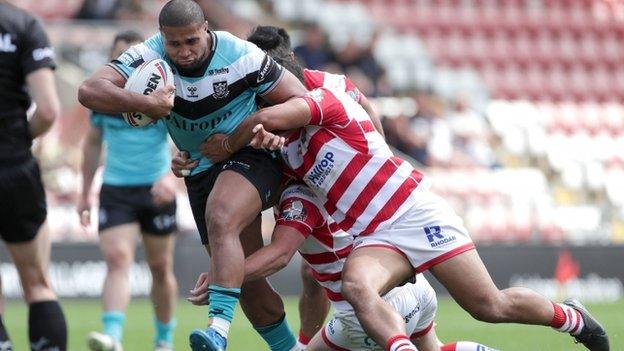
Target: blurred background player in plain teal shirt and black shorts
<point x="137" y="197"/>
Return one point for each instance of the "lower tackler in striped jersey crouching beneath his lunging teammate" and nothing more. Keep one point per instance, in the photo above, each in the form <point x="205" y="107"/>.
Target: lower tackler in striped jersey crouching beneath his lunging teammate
<point x="303" y="224"/>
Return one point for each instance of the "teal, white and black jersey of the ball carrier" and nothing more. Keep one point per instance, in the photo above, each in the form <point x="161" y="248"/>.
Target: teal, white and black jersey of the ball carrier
<point x="219" y="97"/>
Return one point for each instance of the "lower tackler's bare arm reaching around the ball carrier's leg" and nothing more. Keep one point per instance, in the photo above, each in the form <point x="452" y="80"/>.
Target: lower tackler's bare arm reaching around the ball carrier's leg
<point x="275" y="256"/>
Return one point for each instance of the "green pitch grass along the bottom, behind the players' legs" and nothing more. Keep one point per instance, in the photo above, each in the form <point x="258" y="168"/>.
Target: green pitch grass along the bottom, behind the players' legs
<point x="453" y="324"/>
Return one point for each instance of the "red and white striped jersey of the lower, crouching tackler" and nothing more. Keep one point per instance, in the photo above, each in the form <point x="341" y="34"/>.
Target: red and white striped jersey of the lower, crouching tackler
<point x="325" y="248"/>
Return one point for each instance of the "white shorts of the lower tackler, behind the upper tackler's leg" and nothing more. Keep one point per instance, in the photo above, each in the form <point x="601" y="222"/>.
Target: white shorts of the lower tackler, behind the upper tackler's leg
<point x="417" y="304"/>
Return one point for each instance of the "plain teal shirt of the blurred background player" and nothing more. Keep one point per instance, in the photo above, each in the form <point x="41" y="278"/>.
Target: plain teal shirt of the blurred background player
<point x="134" y="156"/>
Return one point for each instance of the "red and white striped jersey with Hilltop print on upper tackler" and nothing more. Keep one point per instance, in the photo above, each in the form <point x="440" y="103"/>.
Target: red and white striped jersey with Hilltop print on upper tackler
<point x="349" y="166"/>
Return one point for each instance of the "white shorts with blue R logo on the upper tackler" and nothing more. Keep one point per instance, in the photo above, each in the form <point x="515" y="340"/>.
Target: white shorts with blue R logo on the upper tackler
<point x="427" y="234"/>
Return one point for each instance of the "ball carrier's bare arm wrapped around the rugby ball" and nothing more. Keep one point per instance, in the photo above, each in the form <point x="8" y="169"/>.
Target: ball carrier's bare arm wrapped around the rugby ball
<point x="104" y="91"/>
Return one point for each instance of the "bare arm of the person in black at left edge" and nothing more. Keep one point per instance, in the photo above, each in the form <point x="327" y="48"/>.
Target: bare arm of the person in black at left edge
<point x="43" y="91"/>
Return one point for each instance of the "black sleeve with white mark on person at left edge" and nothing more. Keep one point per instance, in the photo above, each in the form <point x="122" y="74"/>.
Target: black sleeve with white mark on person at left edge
<point x="36" y="51"/>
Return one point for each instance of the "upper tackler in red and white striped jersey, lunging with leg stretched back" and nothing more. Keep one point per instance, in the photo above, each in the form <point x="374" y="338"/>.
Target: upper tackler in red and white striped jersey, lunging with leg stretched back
<point x="400" y="225"/>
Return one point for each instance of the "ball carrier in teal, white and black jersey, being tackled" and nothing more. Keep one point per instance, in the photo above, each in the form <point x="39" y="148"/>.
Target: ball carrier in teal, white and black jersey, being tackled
<point x="217" y="80"/>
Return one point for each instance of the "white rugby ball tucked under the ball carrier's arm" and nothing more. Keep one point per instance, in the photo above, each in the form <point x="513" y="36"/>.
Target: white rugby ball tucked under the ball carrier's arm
<point x="145" y="79"/>
